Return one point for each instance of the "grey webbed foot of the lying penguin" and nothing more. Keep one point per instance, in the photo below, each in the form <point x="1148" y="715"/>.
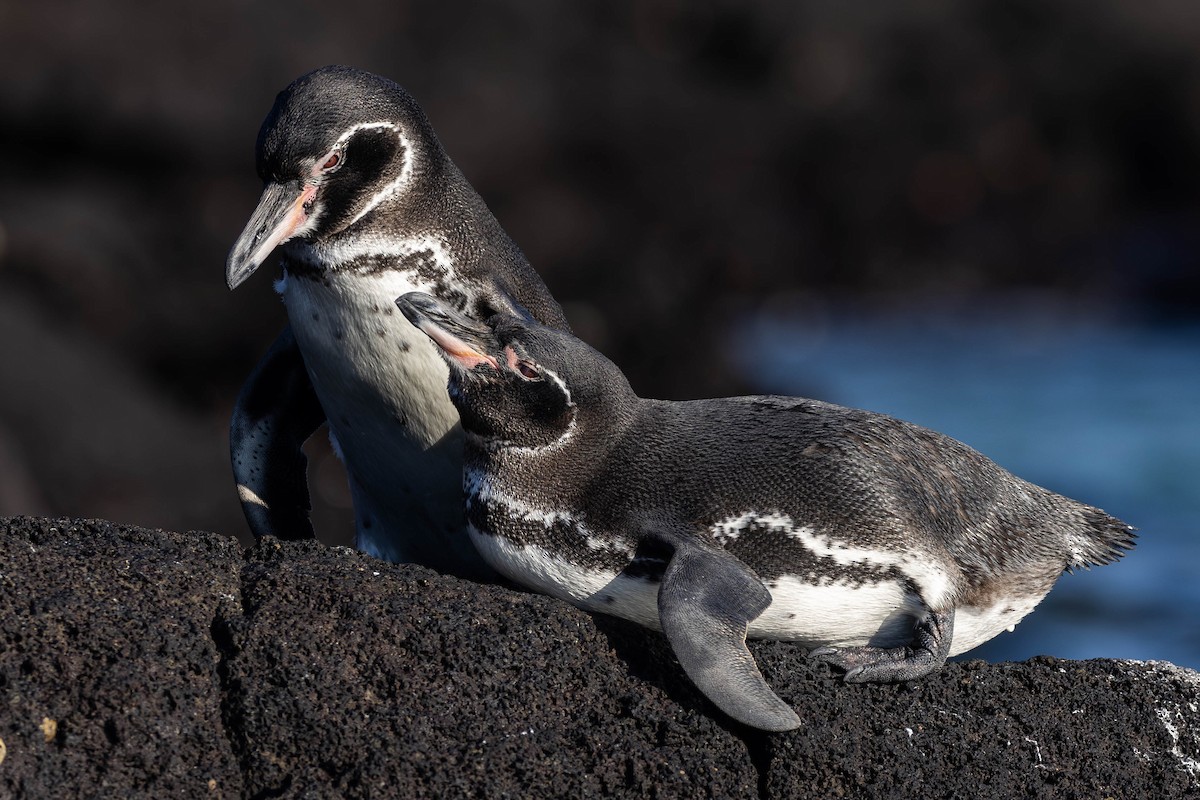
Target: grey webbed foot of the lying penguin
<point x="927" y="654"/>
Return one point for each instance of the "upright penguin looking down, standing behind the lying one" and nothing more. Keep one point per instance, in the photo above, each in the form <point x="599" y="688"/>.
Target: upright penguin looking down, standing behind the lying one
<point x="364" y="204"/>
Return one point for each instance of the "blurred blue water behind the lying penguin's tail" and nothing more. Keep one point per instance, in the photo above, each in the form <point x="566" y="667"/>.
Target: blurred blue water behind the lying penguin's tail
<point x="1102" y="411"/>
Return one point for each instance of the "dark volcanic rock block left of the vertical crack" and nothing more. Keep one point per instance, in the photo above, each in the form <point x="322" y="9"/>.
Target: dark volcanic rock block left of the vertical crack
<point x="109" y="672"/>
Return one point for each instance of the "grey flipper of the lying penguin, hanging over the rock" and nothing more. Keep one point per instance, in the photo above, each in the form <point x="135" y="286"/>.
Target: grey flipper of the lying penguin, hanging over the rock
<point x="706" y="601"/>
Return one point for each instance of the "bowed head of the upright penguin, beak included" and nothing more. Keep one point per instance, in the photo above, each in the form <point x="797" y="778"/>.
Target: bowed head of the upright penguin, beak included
<point x="339" y="146"/>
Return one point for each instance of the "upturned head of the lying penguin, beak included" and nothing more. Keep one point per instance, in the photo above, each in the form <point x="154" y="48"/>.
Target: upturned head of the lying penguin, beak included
<point x="518" y="383"/>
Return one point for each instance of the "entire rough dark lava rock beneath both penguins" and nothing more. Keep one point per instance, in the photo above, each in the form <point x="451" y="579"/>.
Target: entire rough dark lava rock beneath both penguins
<point x="149" y="664"/>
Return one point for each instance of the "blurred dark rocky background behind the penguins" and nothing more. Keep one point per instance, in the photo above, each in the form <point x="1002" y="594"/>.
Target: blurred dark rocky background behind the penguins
<point x="673" y="170"/>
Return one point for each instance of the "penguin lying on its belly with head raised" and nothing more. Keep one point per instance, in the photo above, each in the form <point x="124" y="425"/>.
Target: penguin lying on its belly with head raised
<point x="886" y="546"/>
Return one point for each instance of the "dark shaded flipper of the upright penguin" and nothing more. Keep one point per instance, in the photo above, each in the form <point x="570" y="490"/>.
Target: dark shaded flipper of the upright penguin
<point x="277" y="412"/>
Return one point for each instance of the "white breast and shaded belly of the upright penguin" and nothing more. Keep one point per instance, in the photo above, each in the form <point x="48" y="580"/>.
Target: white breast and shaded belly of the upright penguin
<point x="383" y="388"/>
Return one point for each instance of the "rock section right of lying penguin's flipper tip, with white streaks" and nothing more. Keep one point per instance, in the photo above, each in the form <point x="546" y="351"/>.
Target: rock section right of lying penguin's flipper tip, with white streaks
<point x="1045" y="729"/>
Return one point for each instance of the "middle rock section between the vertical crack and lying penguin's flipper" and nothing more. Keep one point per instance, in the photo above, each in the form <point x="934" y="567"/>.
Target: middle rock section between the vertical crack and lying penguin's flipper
<point x="352" y="676"/>
